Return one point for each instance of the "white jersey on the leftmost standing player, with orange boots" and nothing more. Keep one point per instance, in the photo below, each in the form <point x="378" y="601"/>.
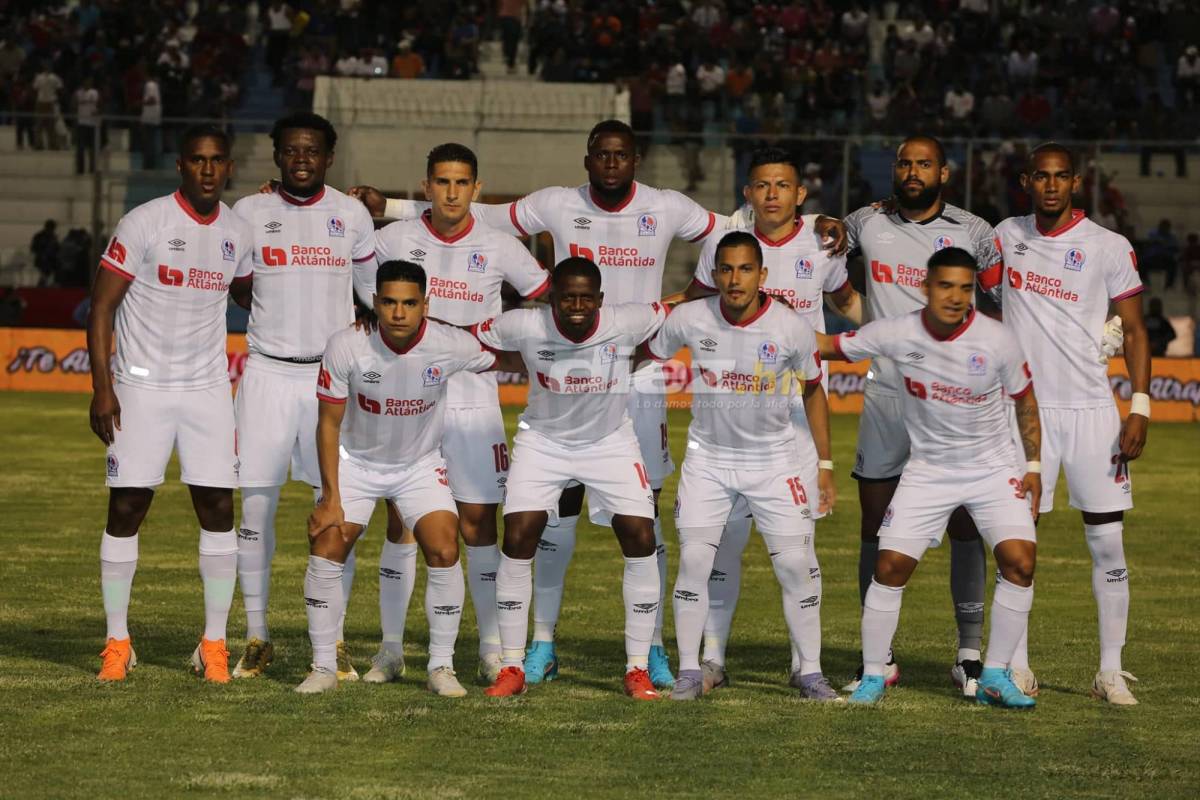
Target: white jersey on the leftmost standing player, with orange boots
<point x="171" y="327"/>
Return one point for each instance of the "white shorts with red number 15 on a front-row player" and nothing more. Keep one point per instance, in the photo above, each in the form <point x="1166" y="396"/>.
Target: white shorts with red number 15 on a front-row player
<point x="777" y="498"/>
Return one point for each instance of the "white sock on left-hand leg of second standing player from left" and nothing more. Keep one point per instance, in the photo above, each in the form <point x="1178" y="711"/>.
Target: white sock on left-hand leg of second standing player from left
<point x="256" y="548"/>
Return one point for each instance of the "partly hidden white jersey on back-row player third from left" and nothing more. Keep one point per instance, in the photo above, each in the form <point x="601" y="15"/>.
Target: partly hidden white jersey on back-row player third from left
<point x="464" y="278"/>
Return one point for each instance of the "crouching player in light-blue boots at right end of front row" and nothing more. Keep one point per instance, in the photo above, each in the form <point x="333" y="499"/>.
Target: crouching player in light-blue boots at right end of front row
<point x="956" y="368"/>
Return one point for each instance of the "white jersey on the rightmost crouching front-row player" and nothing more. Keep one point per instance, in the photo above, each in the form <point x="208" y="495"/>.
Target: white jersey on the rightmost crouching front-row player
<point x="953" y="394"/>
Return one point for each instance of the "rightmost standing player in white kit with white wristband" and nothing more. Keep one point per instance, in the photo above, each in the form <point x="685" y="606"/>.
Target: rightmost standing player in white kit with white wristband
<point x="1063" y="273"/>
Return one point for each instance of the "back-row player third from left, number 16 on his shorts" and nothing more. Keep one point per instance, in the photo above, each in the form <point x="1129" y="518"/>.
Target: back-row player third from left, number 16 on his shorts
<point x="466" y="263"/>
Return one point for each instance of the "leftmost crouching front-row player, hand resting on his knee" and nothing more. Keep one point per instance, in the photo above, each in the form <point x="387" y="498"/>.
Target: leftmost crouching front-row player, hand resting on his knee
<point x="380" y="437"/>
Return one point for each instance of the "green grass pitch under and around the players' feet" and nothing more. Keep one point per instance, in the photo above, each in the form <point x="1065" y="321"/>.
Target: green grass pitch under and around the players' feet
<point x="165" y="733"/>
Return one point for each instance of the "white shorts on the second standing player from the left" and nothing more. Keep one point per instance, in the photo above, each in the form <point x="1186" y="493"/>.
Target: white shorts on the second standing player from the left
<point x="277" y="410"/>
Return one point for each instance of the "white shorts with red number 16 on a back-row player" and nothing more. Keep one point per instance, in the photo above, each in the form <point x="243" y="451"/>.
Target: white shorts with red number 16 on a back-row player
<point x="477" y="454"/>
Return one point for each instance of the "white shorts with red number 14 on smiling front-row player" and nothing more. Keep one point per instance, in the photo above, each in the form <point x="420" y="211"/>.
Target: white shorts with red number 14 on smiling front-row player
<point x="610" y="468"/>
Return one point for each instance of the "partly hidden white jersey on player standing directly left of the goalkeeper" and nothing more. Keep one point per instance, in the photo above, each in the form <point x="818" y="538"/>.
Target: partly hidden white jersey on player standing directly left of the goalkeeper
<point x="800" y="270"/>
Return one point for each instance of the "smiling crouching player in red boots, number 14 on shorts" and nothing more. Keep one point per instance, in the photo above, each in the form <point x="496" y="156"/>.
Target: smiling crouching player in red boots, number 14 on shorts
<point x="577" y="429"/>
